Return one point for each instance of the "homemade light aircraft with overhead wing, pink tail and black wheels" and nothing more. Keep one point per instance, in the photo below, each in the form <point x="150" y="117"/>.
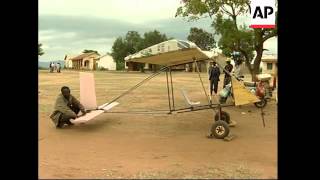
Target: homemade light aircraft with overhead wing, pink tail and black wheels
<point x="170" y="54"/>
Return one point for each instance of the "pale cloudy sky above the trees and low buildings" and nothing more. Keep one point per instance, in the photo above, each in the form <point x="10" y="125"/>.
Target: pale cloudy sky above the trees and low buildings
<point x="70" y="26"/>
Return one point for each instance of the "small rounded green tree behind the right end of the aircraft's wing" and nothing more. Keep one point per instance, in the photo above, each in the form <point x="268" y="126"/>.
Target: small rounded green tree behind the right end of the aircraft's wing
<point x="204" y="40"/>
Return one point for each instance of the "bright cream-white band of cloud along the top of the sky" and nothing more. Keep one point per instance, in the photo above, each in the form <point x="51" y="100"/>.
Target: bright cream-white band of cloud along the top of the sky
<point x="134" y="11"/>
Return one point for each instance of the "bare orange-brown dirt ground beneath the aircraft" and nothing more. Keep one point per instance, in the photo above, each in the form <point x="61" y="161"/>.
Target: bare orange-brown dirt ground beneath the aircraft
<point x="123" y="145"/>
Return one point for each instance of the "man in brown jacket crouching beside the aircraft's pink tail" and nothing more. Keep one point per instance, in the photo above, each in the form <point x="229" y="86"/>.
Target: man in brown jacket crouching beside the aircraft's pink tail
<point x="66" y="107"/>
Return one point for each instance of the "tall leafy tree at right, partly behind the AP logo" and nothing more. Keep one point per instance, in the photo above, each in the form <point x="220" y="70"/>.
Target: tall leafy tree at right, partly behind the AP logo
<point x="233" y="37"/>
